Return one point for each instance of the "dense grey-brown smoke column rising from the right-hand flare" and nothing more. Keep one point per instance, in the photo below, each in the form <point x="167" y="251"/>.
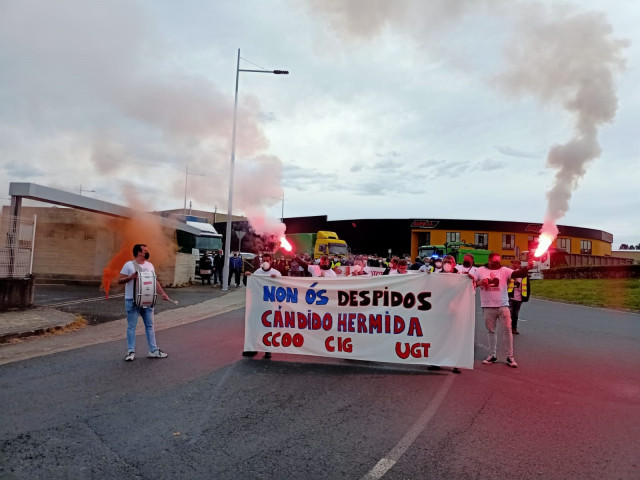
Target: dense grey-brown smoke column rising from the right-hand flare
<point x="570" y="57"/>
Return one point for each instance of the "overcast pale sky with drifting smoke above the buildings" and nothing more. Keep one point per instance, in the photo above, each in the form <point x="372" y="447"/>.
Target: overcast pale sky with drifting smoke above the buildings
<point x="497" y="110"/>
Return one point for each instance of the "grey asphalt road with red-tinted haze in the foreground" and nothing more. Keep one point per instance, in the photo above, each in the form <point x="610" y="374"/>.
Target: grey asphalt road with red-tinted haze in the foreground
<point x="571" y="411"/>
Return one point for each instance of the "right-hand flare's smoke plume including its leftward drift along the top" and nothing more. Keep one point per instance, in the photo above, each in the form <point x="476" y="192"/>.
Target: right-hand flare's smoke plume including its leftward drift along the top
<point x="556" y="54"/>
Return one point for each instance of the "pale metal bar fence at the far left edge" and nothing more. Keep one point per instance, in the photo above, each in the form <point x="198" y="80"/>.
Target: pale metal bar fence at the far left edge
<point x="17" y="236"/>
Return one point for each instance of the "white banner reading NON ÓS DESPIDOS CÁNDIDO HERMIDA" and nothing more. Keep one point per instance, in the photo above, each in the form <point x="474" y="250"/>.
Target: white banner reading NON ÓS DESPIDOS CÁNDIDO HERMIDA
<point x="424" y="319"/>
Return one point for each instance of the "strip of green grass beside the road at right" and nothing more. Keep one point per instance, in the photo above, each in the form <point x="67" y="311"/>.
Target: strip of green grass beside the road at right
<point x="617" y="293"/>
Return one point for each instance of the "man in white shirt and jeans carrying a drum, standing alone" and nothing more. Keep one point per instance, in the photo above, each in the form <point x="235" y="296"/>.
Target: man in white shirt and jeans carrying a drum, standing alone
<point x="128" y="274"/>
